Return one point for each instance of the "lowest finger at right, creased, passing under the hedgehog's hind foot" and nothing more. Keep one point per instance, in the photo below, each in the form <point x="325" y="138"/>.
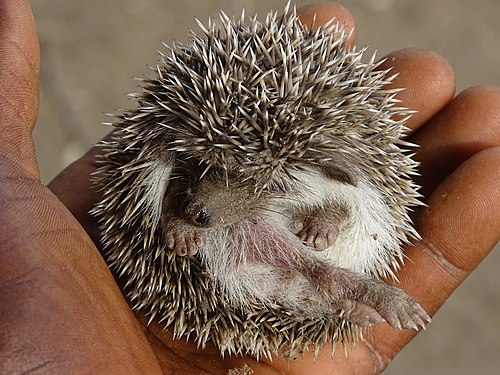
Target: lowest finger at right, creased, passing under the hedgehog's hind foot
<point x="459" y="228"/>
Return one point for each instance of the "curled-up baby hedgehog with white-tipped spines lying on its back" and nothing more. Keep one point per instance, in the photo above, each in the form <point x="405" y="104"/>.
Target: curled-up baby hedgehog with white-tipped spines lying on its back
<point x="260" y="190"/>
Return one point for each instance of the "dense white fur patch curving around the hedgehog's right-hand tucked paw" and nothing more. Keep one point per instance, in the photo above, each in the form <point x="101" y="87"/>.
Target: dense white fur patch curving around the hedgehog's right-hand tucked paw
<point x="368" y="239"/>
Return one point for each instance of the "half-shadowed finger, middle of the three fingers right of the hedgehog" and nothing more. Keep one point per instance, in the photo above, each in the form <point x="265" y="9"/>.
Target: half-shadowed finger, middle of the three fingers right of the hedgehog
<point x="469" y="124"/>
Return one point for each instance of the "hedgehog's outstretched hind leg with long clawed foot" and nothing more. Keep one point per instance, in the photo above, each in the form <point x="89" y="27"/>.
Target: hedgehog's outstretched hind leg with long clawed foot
<point x="360" y="299"/>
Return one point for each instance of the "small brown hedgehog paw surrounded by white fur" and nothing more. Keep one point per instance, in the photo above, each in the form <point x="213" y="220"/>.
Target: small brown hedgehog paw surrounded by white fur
<point x="320" y="228"/>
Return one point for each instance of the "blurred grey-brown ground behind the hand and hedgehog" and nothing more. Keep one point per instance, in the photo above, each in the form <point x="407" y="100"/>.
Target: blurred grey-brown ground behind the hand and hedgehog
<point x="91" y="50"/>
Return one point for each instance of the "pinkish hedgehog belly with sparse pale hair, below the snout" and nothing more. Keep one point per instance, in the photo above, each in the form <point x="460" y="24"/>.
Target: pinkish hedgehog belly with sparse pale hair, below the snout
<point x="253" y="262"/>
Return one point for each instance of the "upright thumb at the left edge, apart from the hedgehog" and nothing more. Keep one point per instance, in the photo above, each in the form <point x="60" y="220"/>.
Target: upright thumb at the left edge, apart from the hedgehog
<point x="19" y="70"/>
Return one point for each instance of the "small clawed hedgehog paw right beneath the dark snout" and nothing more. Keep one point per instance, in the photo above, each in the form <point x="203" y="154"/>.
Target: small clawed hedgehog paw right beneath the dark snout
<point x="184" y="239"/>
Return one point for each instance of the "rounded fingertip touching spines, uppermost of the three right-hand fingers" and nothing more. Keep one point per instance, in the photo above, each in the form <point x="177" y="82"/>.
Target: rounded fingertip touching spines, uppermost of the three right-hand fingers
<point x="428" y="81"/>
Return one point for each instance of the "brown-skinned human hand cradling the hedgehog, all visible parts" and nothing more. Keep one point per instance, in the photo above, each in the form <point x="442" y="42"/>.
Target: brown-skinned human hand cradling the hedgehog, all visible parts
<point x="61" y="310"/>
